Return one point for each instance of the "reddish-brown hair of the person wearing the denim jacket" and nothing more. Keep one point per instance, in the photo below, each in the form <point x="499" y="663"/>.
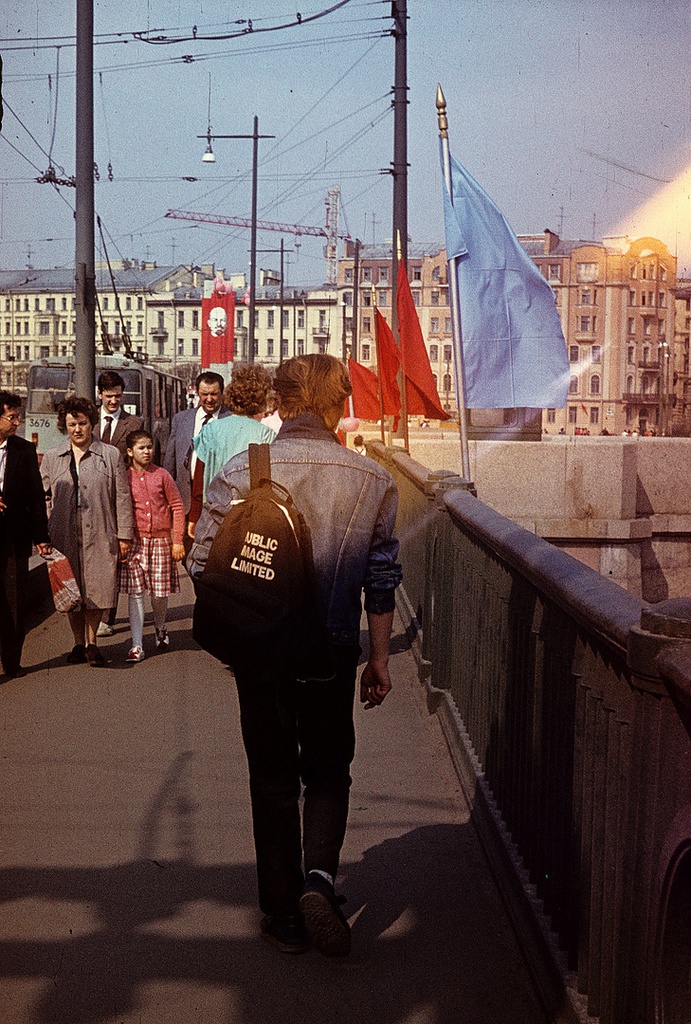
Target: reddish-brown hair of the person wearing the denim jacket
<point x="316" y="383"/>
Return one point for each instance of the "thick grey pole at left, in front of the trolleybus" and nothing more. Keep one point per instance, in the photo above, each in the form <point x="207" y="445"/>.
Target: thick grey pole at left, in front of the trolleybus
<point x="85" y="356"/>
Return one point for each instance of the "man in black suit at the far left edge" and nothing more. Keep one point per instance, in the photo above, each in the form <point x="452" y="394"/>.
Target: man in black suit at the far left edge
<point x="23" y="521"/>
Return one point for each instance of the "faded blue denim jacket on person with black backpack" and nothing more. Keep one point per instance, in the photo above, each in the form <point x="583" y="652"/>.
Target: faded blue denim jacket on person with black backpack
<point x="350" y="503"/>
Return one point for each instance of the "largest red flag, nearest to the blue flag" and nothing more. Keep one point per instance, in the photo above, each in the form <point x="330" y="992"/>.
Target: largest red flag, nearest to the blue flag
<point x="423" y="398"/>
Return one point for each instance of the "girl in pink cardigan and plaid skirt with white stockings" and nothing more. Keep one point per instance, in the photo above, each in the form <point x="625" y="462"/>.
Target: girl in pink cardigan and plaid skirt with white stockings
<point x="151" y="565"/>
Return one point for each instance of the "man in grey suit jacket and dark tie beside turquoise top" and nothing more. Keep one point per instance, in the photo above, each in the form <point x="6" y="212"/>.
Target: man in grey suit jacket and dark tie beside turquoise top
<point x="181" y="459"/>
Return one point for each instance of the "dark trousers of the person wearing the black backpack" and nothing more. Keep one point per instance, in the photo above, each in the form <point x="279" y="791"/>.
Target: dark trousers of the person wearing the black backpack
<point x="297" y="734"/>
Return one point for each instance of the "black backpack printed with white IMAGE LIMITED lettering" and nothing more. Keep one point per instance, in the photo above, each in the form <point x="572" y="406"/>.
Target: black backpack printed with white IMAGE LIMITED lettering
<point x="256" y="599"/>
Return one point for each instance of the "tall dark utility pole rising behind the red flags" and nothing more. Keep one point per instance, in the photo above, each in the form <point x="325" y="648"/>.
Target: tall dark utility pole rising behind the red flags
<point x="400" y="170"/>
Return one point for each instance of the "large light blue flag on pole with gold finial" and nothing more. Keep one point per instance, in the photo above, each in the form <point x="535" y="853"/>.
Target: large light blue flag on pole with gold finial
<point x="514" y="354"/>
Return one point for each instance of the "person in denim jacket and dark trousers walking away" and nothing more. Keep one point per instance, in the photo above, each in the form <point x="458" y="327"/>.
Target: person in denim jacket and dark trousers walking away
<point x="301" y="734"/>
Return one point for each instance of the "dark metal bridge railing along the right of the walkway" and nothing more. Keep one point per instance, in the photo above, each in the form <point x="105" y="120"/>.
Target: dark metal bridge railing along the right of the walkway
<point x="572" y="704"/>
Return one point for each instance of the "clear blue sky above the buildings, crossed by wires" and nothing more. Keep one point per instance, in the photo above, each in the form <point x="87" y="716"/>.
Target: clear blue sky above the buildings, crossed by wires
<point x="571" y="114"/>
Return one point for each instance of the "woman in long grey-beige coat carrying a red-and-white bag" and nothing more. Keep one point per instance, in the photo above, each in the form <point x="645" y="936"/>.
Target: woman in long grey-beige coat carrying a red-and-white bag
<point x="92" y="519"/>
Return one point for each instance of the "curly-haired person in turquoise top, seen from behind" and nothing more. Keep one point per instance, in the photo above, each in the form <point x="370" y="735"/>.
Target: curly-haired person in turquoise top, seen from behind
<point x="224" y="439"/>
